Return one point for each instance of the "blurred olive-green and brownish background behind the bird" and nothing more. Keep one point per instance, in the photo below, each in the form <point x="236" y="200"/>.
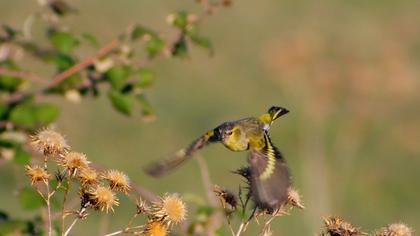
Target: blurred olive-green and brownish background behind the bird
<point x="349" y="72"/>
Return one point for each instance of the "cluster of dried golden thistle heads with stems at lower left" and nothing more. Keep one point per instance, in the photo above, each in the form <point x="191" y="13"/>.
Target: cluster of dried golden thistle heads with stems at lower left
<point x="98" y="191"/>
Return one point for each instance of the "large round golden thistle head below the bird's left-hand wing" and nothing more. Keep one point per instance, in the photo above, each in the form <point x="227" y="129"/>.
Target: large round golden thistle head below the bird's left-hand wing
<point x="170" y="208"/>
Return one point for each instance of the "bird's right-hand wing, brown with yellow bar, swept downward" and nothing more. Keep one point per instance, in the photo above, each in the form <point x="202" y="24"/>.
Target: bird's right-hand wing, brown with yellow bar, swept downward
<point x="269" y="177"/>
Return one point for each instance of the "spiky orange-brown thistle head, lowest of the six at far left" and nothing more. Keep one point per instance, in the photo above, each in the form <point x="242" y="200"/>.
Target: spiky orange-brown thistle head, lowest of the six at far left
<point x="103" y="198"/>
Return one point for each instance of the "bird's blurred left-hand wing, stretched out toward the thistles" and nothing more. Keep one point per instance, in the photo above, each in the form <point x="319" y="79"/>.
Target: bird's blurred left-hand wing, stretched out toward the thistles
<point x="165" y="166"/>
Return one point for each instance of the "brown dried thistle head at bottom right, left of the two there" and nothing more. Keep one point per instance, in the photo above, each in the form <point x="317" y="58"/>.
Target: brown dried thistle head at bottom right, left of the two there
<point x="335" y="226"/>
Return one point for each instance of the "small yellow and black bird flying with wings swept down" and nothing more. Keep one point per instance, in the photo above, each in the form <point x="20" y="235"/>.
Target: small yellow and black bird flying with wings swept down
<point x="267" y="173"/>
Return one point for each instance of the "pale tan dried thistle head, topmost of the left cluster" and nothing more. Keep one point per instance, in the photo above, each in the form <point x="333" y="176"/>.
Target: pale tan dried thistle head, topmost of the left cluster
<point x="49" y="142"/>
